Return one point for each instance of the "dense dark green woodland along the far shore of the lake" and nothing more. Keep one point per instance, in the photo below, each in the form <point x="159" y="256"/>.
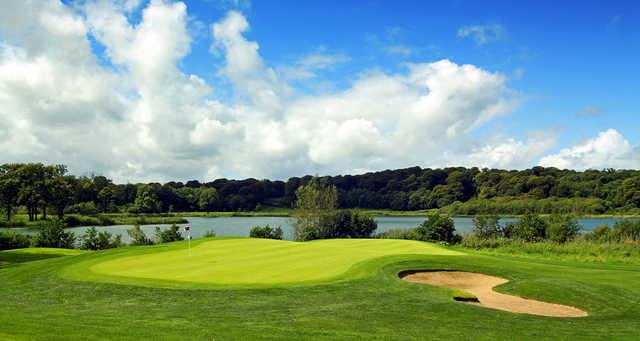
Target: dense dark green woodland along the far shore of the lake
<point x="39" y="190"/>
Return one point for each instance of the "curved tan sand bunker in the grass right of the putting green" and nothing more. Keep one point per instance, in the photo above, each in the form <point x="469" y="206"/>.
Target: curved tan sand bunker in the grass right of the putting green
<point x="482" y="287"/>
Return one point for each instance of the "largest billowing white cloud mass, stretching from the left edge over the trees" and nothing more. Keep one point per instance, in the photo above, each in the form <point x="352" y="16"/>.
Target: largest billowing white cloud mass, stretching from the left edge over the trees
<point x="142" y="118"/>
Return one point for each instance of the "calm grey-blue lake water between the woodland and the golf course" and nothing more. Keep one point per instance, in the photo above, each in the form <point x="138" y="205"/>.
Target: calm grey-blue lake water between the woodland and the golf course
<point x="240" y="226"/>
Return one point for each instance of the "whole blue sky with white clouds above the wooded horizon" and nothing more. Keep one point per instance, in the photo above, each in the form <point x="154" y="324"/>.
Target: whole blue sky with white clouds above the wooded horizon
<point x="165" y="90"/>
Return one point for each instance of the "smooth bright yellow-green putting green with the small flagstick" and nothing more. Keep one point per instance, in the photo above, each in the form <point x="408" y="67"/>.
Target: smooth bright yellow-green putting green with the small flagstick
<point x="247" y="261"/>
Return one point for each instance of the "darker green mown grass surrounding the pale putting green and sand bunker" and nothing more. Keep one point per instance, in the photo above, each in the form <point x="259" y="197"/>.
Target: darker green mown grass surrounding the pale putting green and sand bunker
<point x="39" y="302"/>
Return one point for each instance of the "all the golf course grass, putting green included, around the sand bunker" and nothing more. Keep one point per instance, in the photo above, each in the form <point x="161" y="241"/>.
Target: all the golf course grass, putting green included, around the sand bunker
<point x="246" y="288"/>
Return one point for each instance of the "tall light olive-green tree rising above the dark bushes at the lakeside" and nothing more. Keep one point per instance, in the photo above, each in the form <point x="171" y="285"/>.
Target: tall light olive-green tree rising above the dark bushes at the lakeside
<point x="315" y="203"/>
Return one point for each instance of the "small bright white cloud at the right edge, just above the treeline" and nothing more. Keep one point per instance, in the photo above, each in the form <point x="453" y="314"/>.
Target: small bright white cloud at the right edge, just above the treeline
<point x="607" y="150"/>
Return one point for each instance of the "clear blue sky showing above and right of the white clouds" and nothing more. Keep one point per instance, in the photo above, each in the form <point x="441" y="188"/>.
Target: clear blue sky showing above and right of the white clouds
<point x="573" y="54"/>
